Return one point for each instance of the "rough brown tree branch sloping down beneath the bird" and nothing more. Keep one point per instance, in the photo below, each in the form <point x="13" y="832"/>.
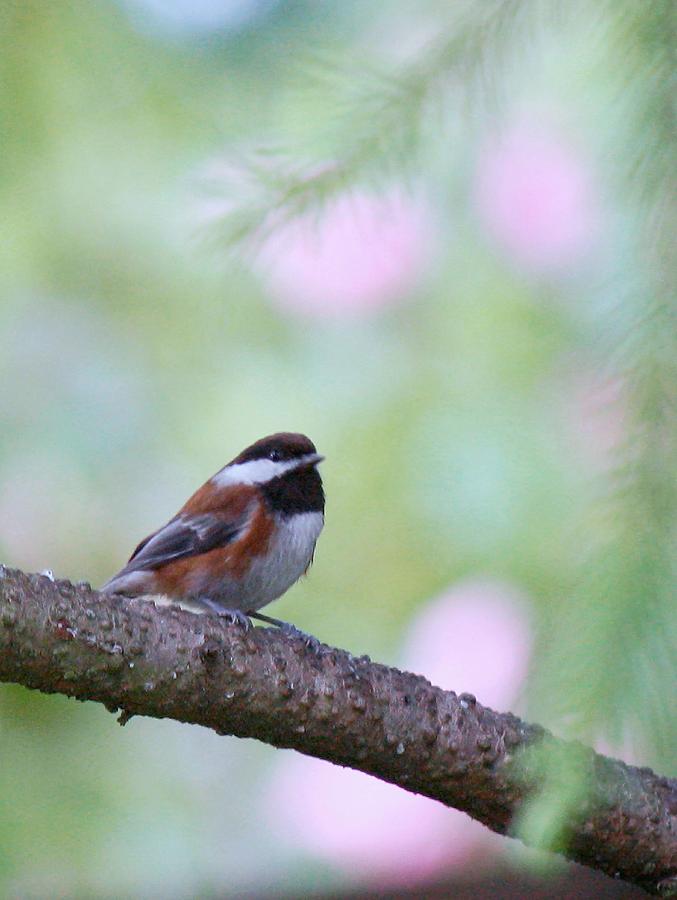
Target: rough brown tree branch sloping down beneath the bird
<point x="168" y="663"/>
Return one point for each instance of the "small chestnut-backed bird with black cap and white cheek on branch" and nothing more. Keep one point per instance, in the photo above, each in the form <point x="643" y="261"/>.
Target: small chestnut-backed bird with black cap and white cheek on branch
<point x="242" y="539"/>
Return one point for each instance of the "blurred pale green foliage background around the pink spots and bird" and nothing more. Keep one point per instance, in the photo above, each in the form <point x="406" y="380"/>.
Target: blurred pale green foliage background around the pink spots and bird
<point x="140" y="350"/>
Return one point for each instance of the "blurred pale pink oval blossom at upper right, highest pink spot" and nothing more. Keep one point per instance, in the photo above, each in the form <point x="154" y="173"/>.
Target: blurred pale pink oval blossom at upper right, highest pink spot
<point x="534" y="194"/>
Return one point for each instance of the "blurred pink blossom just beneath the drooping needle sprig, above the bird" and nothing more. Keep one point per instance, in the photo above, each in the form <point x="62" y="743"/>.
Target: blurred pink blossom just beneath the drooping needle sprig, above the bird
<point x="362" y="253"/>
